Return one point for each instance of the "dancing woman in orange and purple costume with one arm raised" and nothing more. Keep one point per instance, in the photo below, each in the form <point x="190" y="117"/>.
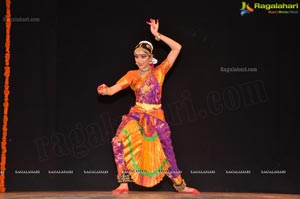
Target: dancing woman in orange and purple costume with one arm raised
<point x="142" y="145"/>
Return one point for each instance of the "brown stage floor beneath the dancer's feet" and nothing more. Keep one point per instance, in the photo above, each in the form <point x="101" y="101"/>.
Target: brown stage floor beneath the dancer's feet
<point x="142" y="195"/>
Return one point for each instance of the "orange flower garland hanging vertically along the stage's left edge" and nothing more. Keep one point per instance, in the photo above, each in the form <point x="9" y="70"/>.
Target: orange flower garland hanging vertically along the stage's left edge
<point x="6" y="94"/>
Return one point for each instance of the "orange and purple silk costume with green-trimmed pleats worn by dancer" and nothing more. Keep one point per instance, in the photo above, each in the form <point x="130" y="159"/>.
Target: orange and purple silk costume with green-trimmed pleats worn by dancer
<point x="142" y="145"/>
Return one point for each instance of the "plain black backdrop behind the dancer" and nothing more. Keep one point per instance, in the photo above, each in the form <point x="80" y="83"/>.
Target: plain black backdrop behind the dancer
<point x="231" y="131"/>
